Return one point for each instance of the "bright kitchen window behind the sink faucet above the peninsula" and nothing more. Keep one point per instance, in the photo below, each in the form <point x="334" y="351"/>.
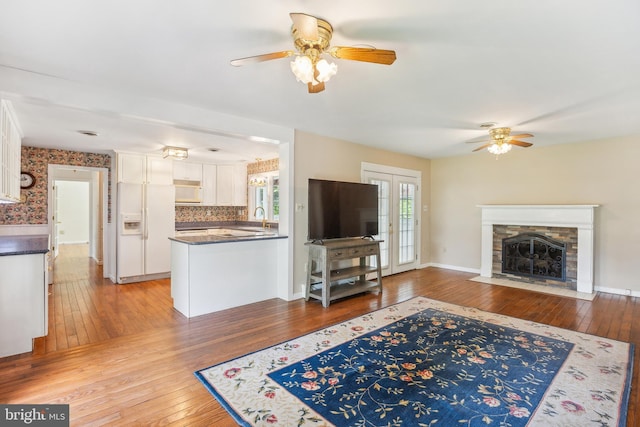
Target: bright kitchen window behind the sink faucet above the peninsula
<point x="264" y="192"/>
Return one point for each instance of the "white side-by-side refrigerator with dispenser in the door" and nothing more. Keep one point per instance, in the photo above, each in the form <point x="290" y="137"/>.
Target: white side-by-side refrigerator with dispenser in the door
<point x="146" y="220"/>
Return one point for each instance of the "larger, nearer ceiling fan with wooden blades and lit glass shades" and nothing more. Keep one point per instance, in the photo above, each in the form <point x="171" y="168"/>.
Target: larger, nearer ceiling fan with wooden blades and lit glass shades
<point x="312" y="39"/>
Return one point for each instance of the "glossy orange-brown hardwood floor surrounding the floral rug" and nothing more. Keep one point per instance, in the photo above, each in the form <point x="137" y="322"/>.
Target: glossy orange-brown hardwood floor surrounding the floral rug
<point x="120" y="354"/>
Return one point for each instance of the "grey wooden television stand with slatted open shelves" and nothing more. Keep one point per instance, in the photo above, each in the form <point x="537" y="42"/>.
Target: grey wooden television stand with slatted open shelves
<point x="327" y="281"/>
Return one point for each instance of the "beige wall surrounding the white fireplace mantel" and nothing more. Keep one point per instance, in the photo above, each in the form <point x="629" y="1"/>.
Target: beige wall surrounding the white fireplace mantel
<point x="601" y="172"/>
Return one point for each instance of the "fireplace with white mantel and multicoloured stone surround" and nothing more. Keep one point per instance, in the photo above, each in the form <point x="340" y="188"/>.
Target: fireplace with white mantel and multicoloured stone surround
<point x="571" y="225"/>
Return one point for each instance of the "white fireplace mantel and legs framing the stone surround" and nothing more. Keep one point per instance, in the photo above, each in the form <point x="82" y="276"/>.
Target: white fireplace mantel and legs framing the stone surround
<point x="578" y="216"/>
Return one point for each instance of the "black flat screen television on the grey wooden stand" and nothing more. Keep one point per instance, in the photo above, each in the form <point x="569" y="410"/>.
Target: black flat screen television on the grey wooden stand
<point x="339" y="210"/>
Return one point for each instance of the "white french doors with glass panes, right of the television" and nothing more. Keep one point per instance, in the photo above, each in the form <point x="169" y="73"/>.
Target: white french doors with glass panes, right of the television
<point x="398" y="224"/>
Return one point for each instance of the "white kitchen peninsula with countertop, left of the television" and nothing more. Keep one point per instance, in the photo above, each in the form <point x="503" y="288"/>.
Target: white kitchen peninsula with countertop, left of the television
<point x="224" y="267"/>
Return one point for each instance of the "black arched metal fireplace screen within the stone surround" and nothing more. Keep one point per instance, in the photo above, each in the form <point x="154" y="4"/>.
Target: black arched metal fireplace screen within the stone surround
<point x="534" y="255"/>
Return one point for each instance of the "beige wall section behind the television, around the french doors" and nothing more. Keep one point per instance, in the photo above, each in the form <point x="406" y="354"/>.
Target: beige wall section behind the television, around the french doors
<point x="327" y="158"/>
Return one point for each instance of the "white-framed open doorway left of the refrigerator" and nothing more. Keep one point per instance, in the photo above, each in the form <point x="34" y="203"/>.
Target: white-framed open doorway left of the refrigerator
<point x="77" y="203"/>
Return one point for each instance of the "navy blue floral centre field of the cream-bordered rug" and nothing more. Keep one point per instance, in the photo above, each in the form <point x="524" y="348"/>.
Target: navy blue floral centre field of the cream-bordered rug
<point x="431" y="368"/>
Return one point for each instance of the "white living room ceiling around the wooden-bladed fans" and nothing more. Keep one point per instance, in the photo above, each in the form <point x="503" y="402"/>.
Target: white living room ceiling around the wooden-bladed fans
<point x="148" y="73"/>
